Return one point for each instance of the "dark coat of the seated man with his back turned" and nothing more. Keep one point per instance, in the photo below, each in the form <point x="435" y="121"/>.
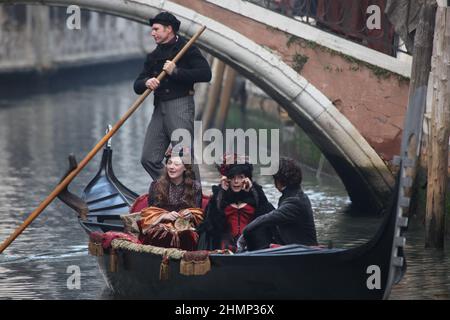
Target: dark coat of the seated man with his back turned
<point x="293" y="220"/>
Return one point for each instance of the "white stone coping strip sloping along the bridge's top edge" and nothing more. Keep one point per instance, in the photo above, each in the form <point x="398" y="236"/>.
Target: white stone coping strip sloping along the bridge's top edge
<point x="304" y="31"/>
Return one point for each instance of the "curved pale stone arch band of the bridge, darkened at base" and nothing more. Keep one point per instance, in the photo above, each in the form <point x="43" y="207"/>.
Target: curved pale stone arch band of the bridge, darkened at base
<point x="364" y="174"/>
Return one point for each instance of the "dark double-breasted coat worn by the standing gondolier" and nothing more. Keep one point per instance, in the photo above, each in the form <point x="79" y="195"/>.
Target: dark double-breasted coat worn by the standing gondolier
<point x="191" y="68"/>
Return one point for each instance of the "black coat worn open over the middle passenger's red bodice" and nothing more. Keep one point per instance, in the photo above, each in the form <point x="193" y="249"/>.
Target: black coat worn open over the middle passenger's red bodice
<point x="211" y="231"/>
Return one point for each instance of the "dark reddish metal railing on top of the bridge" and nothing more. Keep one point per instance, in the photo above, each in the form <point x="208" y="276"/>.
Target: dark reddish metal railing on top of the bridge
<point x="344" y="18"/>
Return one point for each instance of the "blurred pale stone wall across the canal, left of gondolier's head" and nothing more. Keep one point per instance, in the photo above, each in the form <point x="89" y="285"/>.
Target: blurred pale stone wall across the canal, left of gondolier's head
<point x="37" y="38"/>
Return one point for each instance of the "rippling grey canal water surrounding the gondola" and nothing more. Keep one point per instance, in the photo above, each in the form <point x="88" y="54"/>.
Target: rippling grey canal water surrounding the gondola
<point x="39" y="127"/>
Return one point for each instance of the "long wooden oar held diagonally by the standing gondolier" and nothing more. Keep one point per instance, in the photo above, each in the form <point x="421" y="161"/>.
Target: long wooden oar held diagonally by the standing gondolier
<point x="64" y="183"/>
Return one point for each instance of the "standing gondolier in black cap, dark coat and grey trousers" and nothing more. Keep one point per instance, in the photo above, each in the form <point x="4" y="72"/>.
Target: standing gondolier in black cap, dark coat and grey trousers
<point x="174" y="96"/>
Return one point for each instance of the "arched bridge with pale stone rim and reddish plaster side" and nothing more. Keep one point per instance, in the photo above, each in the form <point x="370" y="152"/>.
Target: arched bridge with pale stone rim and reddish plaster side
<point x="349" y="99"/>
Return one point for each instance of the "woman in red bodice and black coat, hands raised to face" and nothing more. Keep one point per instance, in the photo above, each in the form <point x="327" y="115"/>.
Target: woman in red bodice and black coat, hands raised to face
<point x="235" y="202"/>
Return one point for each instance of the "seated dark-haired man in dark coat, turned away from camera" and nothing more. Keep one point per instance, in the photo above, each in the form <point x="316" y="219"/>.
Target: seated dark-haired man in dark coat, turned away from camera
<point x="293" y="221"/>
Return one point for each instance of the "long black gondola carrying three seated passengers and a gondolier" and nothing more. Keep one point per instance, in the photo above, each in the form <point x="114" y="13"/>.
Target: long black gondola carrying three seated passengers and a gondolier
<point x="287" y="272"/>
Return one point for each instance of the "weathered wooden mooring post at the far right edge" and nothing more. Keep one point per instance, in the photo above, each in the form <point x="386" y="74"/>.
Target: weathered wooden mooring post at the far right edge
<point x="440" y="128"/>
